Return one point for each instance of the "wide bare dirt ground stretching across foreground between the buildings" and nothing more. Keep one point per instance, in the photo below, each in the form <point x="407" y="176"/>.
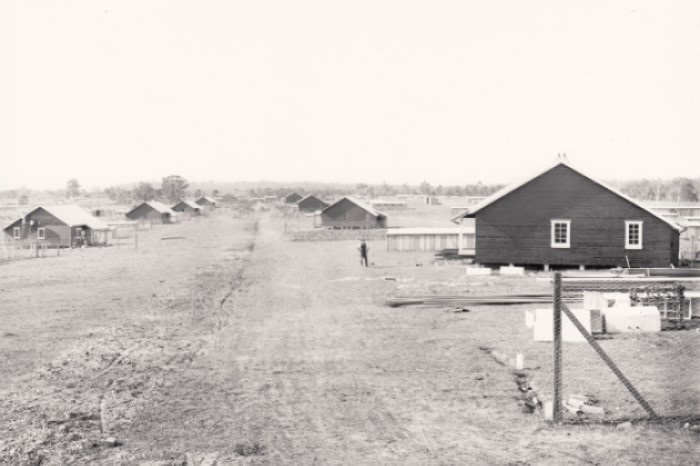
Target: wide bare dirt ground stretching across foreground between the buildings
<point x="236" y="346"/>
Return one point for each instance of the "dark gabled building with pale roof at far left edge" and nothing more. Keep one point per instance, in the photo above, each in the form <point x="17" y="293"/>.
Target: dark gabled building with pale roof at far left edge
<point x="58" y="226"/>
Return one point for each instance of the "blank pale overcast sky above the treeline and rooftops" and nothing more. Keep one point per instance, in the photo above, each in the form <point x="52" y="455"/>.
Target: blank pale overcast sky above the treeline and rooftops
<point x="355" y="91"/>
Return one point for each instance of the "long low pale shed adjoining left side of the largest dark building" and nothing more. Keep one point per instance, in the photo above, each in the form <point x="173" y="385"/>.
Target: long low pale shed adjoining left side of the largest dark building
<point x="432" y="239"/>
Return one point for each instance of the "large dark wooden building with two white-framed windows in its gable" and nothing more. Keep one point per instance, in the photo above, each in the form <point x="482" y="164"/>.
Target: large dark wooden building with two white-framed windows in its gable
<point x="561" y="217"/>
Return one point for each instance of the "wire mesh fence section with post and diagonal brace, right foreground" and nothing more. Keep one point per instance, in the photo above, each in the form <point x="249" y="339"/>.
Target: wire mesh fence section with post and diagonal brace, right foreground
<point x="642" y="360"/>
